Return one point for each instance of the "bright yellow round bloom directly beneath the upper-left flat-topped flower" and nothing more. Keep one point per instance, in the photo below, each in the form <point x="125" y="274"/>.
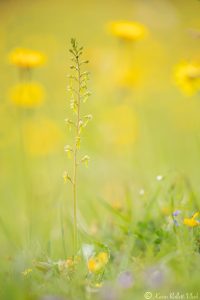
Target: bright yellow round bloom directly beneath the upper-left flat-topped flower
<point x="27" y="94"/>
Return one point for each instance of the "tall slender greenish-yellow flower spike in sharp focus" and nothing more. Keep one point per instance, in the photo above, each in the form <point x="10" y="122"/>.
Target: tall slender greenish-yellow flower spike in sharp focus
<point x="79" y="94"/>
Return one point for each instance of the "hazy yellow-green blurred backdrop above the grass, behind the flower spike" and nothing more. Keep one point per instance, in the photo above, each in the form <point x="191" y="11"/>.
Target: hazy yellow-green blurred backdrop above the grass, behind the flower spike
<point x="143" y="123"/>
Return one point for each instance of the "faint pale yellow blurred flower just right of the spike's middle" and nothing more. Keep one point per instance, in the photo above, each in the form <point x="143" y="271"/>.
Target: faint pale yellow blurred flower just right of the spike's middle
<point x="121" y="126"/>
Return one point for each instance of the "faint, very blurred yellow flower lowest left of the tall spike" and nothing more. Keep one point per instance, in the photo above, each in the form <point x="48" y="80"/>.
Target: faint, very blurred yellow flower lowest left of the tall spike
<point x="41" y="137"/>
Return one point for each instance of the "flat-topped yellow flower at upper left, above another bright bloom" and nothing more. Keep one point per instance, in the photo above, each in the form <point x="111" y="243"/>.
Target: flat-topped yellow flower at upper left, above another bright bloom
<point x="26" y="58"/>
